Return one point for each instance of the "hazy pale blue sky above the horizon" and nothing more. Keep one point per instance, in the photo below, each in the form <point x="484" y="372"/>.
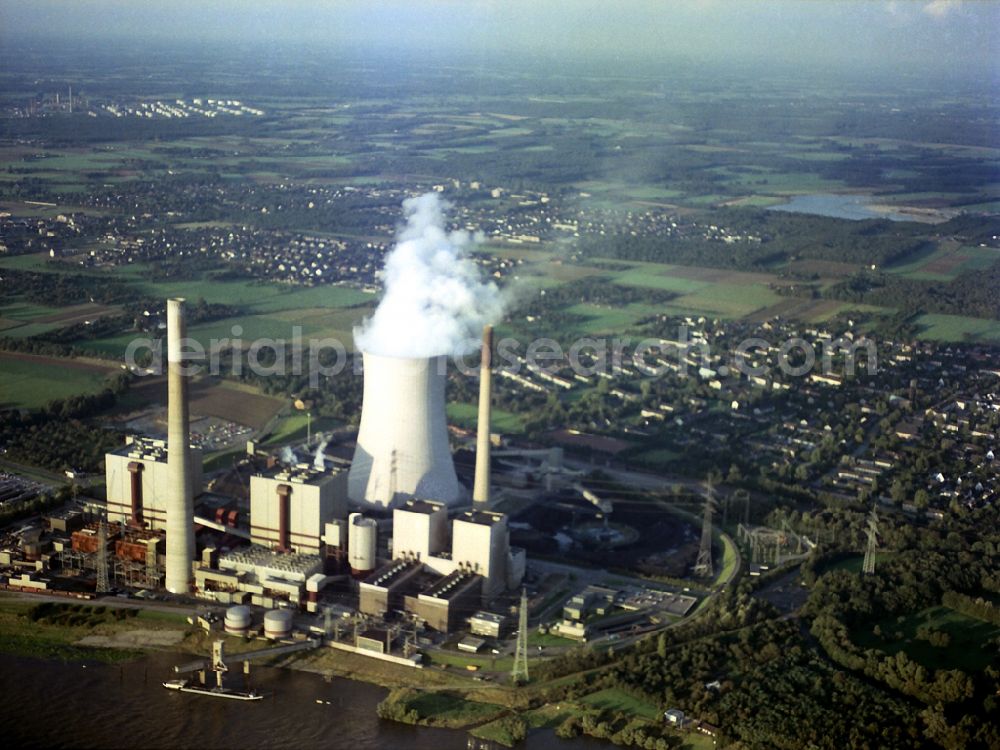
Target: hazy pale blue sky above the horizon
<point x="917" y="35"/>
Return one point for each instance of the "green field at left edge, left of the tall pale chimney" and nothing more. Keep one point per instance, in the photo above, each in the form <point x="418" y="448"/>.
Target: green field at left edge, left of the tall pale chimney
<point x="30" y="384"/>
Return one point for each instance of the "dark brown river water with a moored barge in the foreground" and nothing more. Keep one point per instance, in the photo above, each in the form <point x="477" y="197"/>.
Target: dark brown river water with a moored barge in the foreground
<point x="48" y="704"/>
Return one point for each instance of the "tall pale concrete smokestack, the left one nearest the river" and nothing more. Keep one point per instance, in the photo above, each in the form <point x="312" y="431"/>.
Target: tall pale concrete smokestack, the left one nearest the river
<point x="180" y="500"/>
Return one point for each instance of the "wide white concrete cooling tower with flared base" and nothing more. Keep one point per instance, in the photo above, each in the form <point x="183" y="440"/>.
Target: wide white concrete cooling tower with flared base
<point x="402" y="449"/>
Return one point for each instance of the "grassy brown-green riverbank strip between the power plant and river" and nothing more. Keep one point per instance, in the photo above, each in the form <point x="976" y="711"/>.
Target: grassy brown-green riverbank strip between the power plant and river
<point x="436" y="697"/>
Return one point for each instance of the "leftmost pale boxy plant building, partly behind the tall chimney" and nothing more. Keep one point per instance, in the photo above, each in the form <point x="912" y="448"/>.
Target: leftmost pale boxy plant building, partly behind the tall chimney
<point x="138" y="485"/>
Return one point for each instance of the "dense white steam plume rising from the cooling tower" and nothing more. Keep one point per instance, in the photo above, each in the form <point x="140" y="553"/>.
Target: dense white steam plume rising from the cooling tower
<point x="435" y="301"/>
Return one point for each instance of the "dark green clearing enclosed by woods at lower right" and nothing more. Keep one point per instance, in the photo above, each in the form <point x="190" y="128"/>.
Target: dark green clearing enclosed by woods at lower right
<point x="969" y="648"/>
